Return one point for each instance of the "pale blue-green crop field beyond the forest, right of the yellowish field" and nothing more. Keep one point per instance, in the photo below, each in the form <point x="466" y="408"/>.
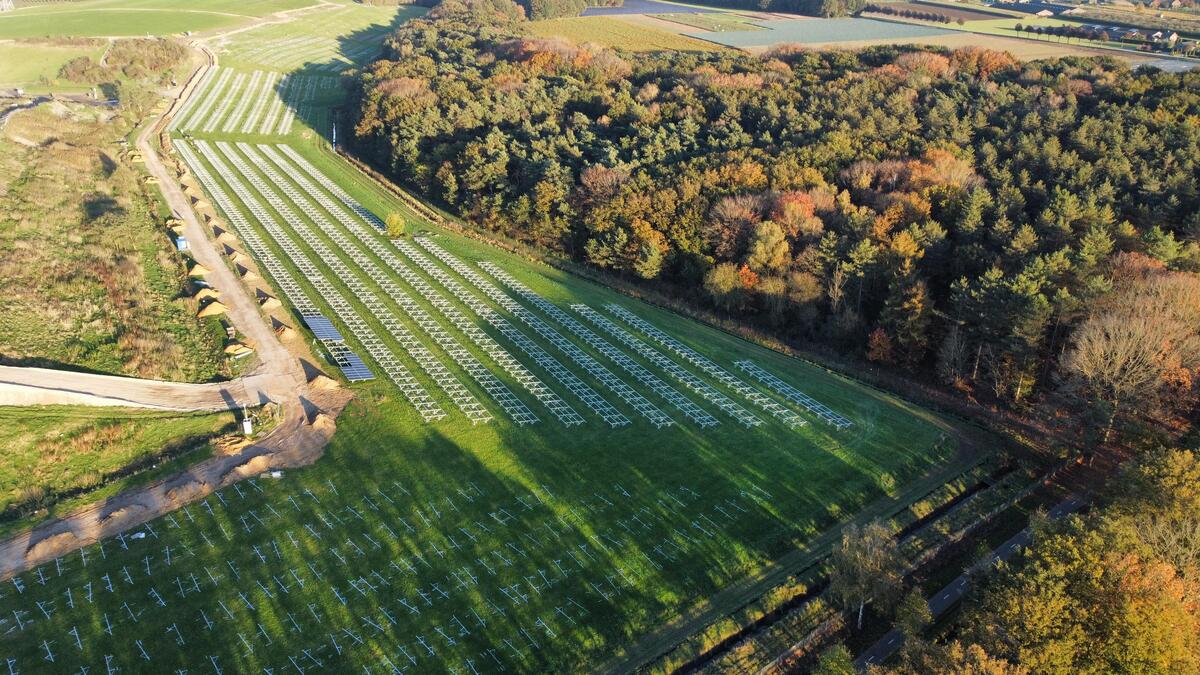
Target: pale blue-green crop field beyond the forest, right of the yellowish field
<point x="809" y="32"/>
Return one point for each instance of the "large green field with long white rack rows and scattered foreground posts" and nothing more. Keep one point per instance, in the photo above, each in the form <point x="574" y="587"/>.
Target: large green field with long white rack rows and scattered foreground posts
<point x="536" y="473"/>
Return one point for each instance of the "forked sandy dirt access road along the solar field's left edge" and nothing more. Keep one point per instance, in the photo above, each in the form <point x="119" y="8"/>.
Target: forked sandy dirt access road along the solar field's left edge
<point x="308" y="413"/>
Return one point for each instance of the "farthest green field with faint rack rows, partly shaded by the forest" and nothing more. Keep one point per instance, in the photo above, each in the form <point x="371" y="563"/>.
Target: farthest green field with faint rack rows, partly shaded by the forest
<point x="331" y="39"/>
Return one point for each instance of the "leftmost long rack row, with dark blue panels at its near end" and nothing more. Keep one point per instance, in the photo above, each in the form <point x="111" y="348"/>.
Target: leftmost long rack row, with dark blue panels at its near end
<point x="341" y="355"/>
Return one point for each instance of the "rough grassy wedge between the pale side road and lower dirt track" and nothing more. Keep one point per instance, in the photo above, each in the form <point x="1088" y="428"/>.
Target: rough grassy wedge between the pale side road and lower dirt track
<point x="61" y="457"/>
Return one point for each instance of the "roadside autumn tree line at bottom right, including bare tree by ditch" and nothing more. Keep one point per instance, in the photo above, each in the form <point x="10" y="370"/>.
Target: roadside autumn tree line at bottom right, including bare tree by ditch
<point x="1114" y="590"/>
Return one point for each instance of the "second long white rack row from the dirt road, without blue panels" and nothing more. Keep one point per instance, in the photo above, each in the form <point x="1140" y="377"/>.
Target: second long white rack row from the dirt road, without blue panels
<point x="397" y="372"/>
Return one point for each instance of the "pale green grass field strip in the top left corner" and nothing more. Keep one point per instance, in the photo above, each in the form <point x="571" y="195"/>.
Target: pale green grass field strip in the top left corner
<point x="135" y="17"/>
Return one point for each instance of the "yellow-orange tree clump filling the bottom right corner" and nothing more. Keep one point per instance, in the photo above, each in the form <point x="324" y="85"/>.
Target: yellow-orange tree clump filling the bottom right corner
<point x="1093" y="598"/>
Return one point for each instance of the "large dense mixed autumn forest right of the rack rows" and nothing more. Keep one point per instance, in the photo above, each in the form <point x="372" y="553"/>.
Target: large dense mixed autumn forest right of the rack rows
<point x="1024" y="234"/>
